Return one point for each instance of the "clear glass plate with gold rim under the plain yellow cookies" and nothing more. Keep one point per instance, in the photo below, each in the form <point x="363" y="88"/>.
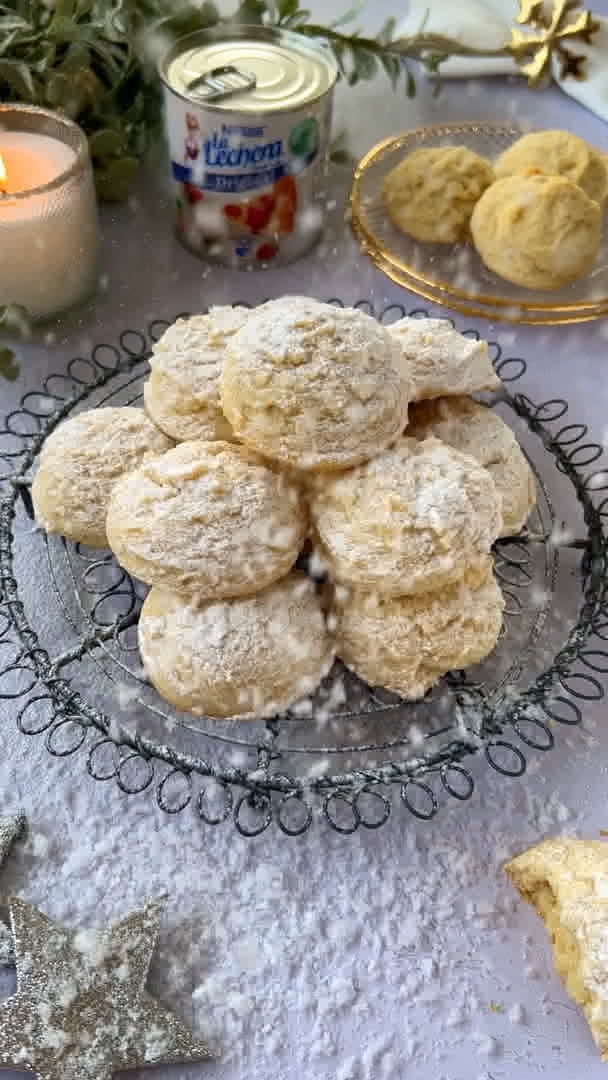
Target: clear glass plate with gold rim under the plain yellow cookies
<point x="454" y="275"/>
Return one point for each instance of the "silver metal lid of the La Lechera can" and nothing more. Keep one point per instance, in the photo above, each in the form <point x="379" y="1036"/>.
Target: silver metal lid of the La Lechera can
<point x="290" y="71"/>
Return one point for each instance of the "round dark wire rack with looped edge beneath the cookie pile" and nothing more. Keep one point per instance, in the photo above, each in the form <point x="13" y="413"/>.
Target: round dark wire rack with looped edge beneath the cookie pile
<point x="70" y="660"/>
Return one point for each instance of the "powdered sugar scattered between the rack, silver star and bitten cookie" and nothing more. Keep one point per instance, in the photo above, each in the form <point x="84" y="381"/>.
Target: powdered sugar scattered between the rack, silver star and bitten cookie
<point x="386" y="955"/>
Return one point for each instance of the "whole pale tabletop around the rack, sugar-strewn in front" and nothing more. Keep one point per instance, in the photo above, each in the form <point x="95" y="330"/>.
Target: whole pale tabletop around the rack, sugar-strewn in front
<point x="394" y="954"/>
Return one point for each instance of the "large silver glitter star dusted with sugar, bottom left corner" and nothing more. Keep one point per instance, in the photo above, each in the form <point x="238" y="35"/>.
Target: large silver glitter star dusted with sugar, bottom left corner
<point x="82" y="1011"/>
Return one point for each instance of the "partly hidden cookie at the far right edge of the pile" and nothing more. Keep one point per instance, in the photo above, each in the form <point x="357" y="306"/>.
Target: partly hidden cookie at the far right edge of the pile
<point x="482" y="434"/>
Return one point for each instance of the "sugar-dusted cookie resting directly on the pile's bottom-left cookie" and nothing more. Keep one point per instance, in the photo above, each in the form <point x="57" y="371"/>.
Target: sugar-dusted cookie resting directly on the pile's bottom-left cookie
<point x="209" y="519"/>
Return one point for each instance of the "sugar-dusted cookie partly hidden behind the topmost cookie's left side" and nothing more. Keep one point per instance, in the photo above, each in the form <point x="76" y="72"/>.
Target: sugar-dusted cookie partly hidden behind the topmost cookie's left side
<point x="183" y="393"/>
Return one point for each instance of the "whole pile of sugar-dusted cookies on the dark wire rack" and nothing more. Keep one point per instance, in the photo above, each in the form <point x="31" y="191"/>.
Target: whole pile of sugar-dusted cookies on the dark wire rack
<point x="290" y="427"/>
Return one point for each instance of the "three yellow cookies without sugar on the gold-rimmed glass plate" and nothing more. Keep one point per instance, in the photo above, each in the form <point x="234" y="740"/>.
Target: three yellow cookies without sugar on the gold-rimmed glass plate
<point x="535" y="214"/>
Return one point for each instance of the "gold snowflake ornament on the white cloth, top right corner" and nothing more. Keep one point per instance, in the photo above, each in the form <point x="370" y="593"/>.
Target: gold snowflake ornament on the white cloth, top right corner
<point x="550" y="26"/>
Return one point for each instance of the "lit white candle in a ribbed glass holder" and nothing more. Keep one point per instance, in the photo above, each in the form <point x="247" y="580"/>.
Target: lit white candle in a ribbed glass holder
<point x="49" y="236"/>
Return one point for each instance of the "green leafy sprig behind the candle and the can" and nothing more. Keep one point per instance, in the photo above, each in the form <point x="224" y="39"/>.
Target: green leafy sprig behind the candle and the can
<point x="96" y="61"/>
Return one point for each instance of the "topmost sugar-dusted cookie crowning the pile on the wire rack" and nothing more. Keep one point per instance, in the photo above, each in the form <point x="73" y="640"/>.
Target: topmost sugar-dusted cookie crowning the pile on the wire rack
<point x="314" y="386"/>
